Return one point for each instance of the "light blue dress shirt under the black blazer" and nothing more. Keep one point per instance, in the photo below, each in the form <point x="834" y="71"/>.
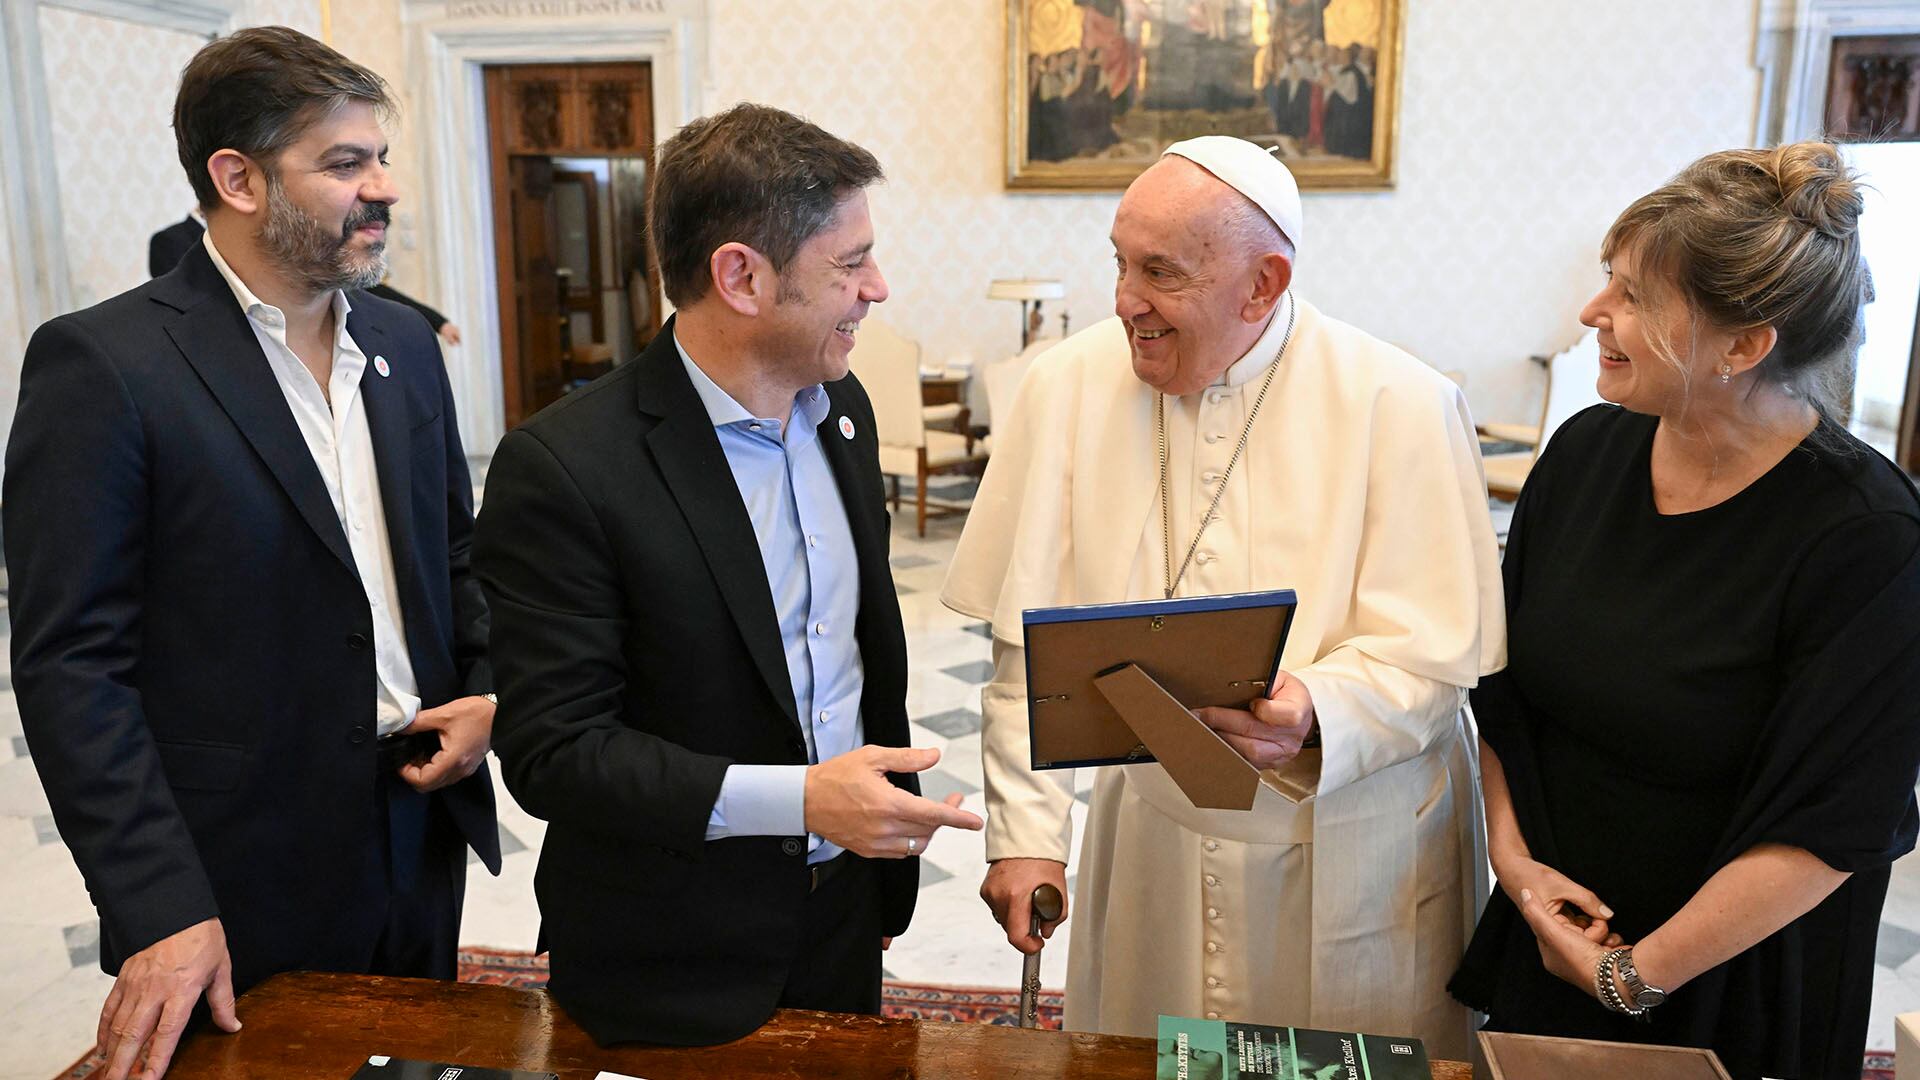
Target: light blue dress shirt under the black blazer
<point x="815" y="576"/>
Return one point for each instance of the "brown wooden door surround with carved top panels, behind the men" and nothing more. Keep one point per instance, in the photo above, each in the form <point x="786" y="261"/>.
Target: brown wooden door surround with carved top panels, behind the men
<point x="540" y="112"/>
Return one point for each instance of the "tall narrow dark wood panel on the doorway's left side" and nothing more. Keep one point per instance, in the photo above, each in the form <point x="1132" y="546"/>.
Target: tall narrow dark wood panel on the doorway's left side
<point x="537" y="285"/>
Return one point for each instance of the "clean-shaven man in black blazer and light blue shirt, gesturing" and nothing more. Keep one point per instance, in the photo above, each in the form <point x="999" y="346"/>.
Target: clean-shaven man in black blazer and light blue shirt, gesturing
<point x="698" y="645"/>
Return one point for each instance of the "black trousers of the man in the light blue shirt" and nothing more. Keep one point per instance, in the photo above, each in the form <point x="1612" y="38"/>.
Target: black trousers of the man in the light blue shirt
<point x="838" y="964"/>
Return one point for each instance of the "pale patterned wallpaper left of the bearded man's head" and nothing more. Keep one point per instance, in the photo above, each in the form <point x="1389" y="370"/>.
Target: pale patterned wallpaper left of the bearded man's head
<point x="110" y="91"/>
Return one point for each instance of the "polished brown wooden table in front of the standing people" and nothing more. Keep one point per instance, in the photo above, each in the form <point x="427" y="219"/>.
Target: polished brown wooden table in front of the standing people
<point x="322" y="1027"/>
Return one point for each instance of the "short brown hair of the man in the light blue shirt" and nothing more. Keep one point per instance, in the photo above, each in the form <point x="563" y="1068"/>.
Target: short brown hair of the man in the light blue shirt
<point x="752" y="176"/>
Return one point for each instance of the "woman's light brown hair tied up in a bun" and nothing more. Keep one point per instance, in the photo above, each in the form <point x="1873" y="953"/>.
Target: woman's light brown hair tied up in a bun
<point x="1752" y="237"/>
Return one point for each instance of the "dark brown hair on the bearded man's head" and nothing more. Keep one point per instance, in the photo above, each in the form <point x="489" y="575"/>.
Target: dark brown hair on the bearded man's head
<point x="258" y="91"/>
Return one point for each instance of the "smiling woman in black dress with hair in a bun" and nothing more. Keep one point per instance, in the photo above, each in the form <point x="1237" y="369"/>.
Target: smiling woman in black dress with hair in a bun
<point x="1700" y="760"/>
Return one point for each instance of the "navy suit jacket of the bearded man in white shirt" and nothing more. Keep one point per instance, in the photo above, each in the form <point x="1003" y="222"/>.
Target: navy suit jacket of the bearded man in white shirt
<point x="193" y="649"/>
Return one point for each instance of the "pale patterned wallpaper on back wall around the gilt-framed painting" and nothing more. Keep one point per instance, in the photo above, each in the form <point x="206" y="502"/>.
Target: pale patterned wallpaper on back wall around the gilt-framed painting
<point x="1525" y="128"/>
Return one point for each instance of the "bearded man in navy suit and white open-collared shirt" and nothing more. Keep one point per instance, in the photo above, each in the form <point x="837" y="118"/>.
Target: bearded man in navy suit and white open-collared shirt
<point x="249" y="652"/>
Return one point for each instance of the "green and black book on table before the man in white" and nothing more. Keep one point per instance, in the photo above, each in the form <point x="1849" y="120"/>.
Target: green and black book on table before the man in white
<point x="1230" y="1050"/>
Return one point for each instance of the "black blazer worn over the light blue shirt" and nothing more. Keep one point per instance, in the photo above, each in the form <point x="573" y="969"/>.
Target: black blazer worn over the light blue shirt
<point x="638" y="656"/>
